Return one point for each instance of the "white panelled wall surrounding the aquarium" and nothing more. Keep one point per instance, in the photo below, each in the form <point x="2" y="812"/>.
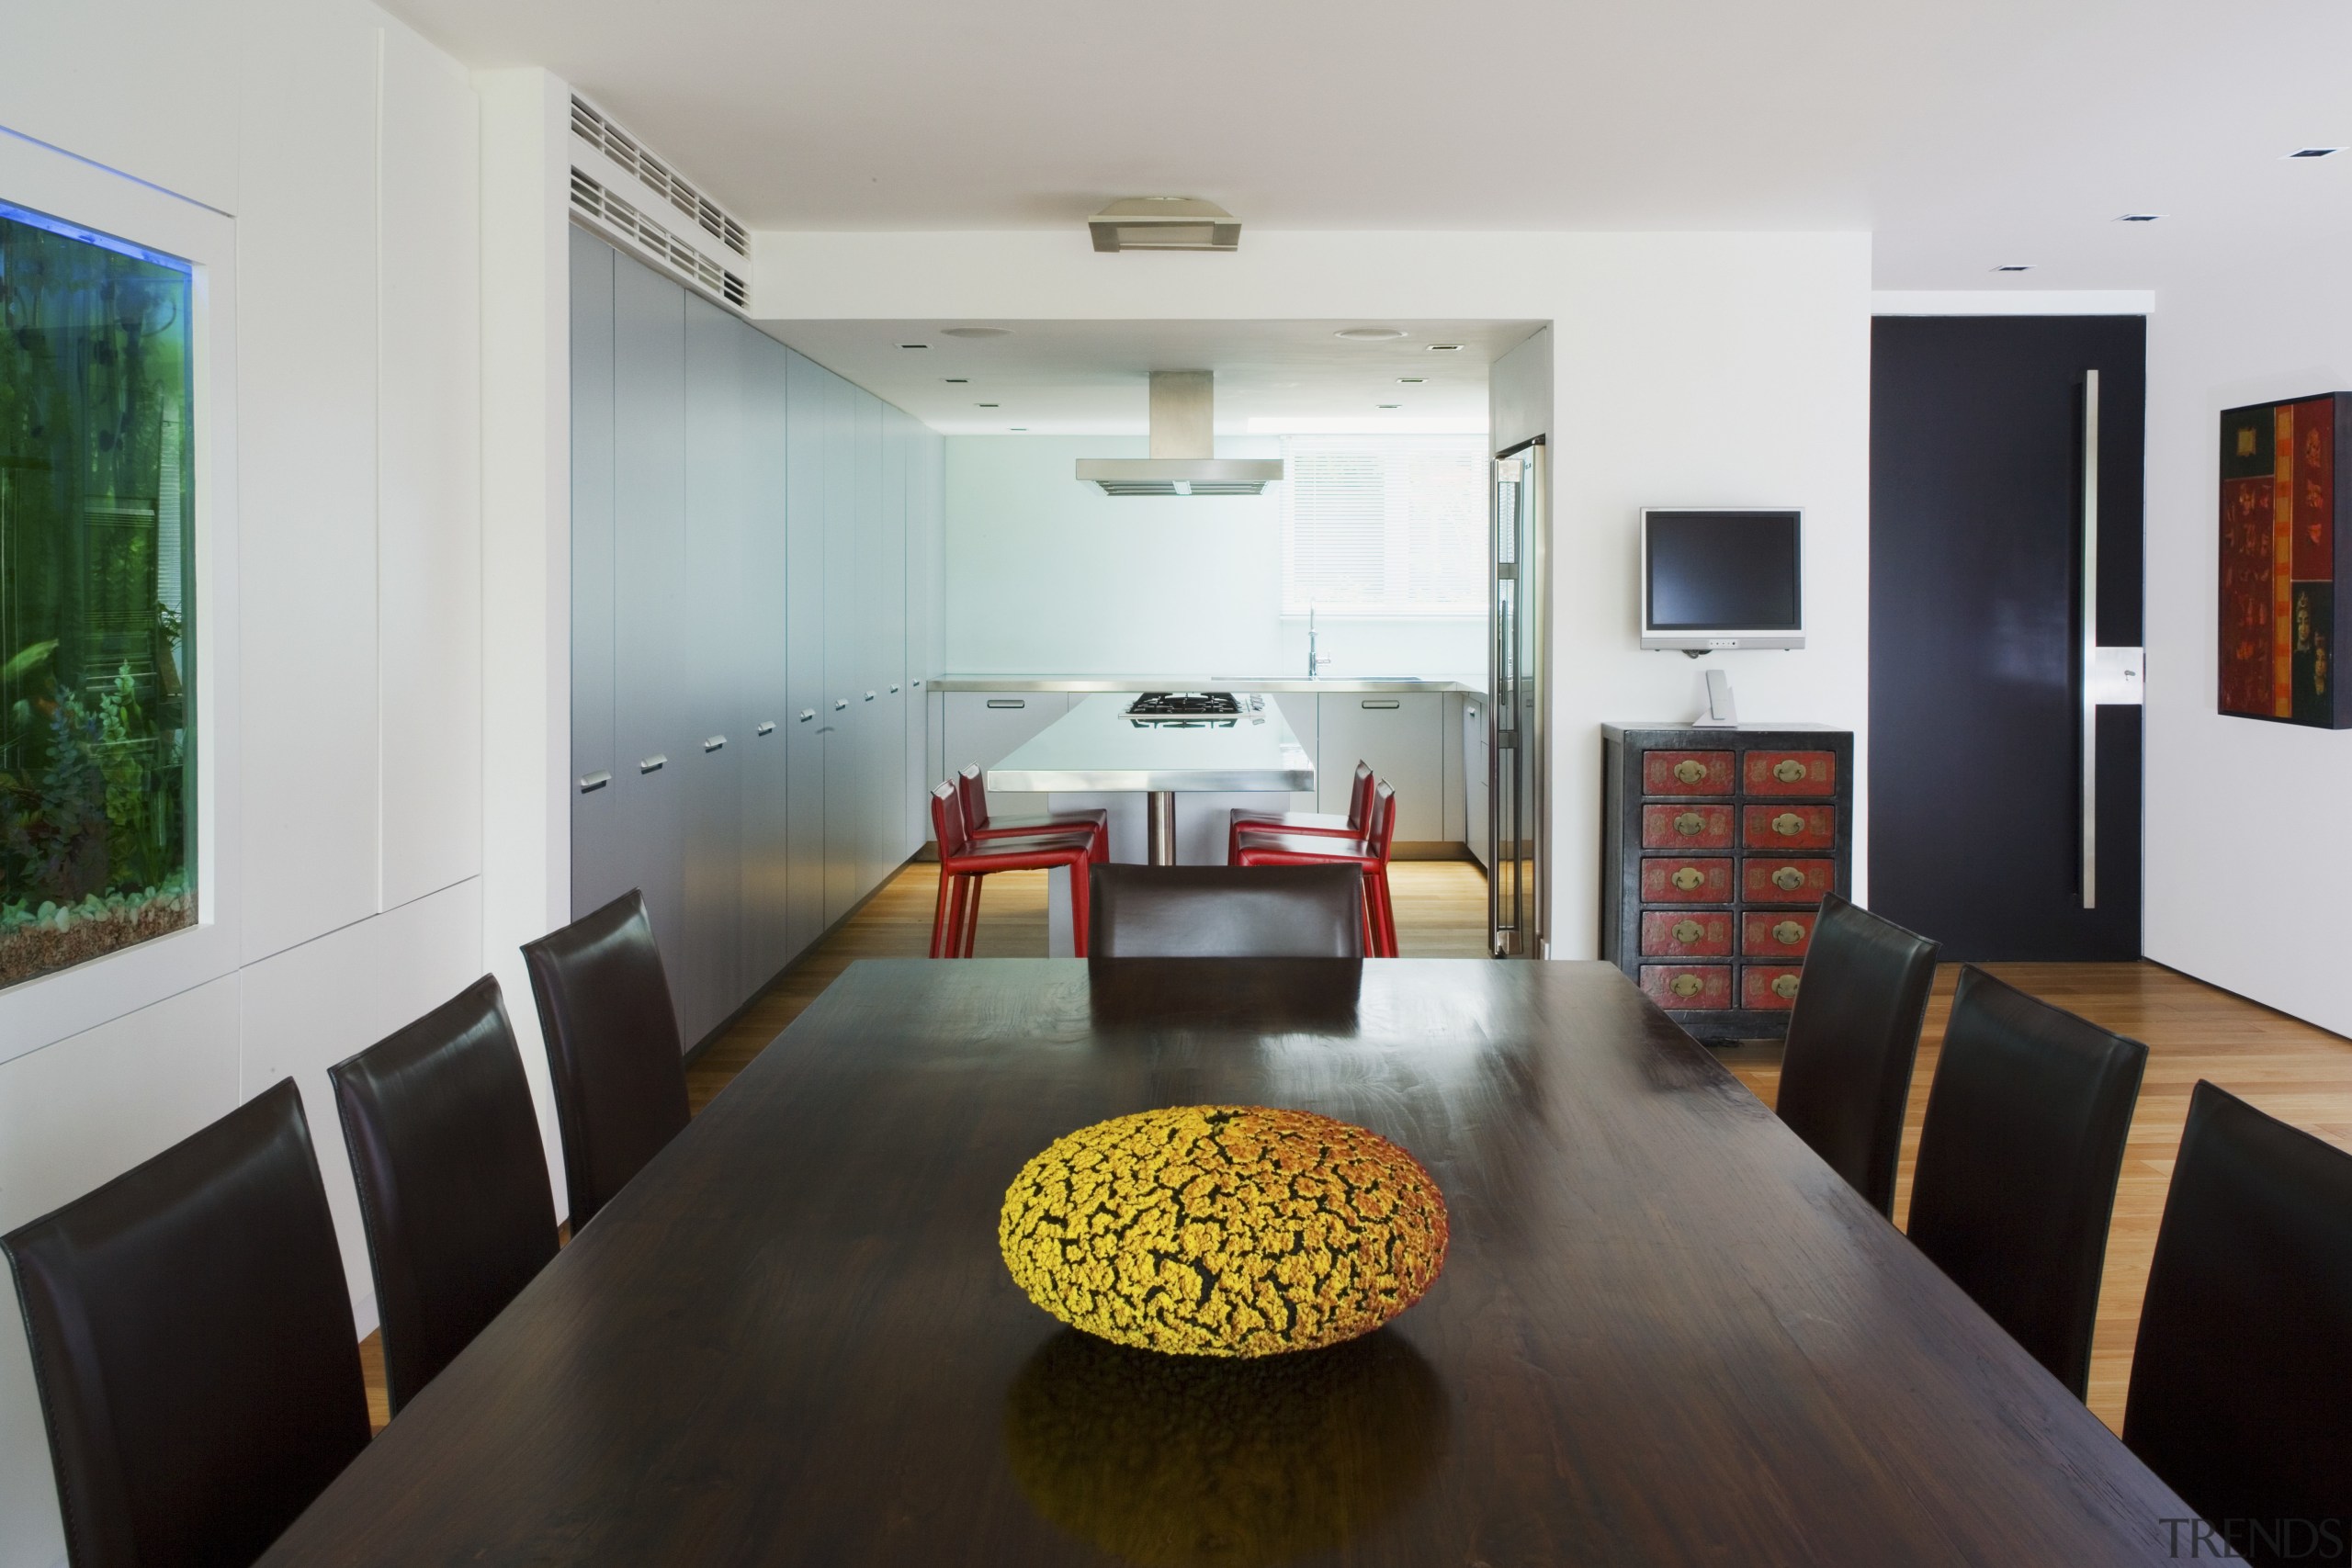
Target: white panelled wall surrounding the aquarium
<point x="342" y="149"/>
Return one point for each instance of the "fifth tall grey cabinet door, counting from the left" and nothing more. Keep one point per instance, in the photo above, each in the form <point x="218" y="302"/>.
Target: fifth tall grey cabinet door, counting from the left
<point x="810" y="692"/>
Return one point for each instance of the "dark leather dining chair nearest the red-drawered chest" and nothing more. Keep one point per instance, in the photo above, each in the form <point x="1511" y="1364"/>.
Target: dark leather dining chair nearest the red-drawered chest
<point x="1852" y="1040"/>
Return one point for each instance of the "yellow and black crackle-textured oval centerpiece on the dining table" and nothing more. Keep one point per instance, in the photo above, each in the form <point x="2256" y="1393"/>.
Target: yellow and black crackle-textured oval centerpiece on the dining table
<point x="1224" y="1231"/>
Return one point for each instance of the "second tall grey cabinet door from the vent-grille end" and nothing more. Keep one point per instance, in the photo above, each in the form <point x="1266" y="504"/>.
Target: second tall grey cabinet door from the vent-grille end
<point x="650" y="563"/>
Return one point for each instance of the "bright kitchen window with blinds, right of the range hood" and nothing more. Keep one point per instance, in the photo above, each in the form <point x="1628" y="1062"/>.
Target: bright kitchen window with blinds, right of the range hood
<point x="1384" y="525"/>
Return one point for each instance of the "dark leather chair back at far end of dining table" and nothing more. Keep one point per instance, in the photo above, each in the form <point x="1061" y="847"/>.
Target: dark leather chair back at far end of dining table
<point x="1227" y="913"/>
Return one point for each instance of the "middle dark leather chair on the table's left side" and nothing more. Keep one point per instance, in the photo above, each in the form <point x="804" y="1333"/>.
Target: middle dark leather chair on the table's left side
<point x="453" y="1179"/>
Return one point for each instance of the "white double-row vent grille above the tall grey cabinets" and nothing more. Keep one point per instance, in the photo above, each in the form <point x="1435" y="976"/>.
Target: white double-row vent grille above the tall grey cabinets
<point x="632" y="196"/>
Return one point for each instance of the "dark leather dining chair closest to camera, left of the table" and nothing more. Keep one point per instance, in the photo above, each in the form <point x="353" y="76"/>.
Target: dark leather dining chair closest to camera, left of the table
<point x="194" y="1348"/>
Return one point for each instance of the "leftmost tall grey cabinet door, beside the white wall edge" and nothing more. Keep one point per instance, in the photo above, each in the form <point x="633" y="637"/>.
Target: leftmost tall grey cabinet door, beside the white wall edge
<point x="599" y="864"/>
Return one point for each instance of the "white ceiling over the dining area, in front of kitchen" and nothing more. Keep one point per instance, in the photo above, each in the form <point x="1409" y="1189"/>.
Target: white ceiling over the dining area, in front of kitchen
<point x="1960" y="133"/>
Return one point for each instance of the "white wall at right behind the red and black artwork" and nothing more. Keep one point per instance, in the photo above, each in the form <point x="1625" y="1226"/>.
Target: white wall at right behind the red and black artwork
<point x="2247" y="847"/>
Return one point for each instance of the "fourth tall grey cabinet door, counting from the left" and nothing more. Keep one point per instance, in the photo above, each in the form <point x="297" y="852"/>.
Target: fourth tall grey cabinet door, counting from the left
<point x="766" y="638"/>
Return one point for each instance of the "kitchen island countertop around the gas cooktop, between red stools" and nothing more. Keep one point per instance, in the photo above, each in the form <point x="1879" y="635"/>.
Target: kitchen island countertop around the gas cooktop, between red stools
<point x="1100" y="749"/>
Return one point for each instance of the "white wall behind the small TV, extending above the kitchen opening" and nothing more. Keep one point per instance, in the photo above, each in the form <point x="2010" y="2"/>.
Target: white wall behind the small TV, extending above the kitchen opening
<point x="1713" y="370"/>
